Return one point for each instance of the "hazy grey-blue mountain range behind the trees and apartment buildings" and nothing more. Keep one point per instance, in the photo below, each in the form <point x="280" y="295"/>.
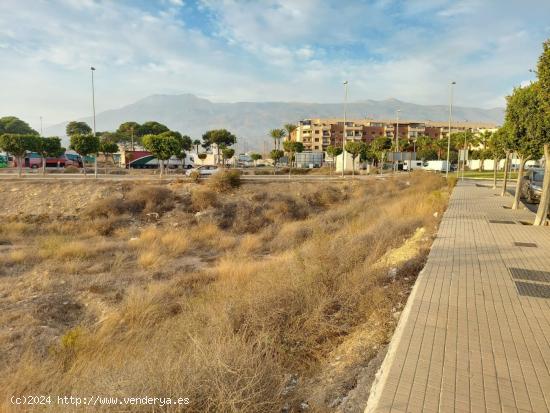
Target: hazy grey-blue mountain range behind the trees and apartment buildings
<point x="251" y="121"/>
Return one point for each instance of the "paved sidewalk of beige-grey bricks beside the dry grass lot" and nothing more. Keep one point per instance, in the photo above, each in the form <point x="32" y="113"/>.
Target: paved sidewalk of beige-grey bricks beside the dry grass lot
<point x="475" y="334"/>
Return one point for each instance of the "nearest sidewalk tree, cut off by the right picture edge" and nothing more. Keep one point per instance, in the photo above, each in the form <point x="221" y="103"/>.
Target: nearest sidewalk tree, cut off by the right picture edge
<point x="544" y="95"/>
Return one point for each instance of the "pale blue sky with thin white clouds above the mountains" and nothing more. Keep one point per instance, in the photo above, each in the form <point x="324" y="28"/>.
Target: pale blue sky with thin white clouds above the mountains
<point x="263" y="50"/>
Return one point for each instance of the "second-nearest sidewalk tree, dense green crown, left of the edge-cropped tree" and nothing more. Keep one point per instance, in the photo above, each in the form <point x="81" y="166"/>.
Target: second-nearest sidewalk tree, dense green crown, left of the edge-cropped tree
<point x="526" y="121"/>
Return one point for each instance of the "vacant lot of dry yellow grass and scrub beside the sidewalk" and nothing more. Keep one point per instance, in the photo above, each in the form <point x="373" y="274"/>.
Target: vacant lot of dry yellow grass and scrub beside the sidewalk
<point x="267" y="297"/>
